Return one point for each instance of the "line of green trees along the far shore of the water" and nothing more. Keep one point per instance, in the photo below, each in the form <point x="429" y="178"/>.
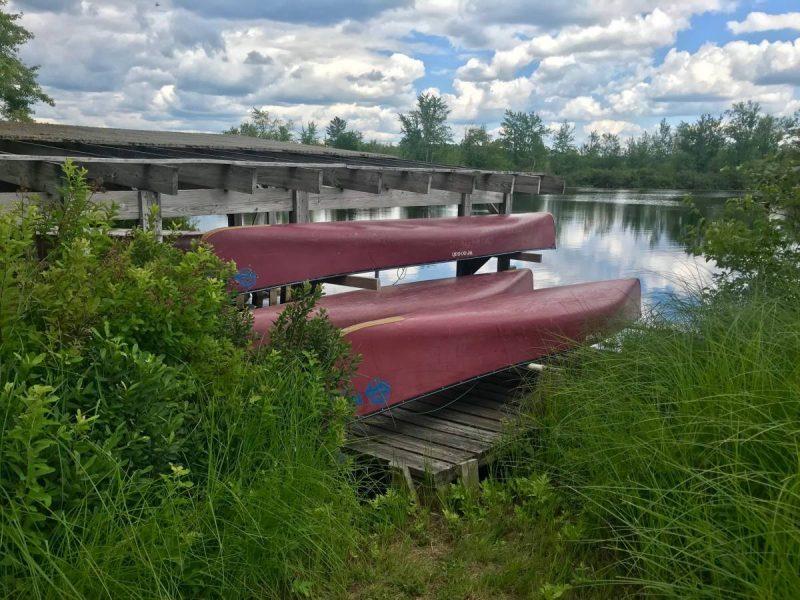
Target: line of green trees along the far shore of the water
<point x="707" y="153"/>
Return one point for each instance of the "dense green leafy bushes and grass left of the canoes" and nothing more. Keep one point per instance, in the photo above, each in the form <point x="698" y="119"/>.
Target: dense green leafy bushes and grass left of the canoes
<point x="145" y="449"/>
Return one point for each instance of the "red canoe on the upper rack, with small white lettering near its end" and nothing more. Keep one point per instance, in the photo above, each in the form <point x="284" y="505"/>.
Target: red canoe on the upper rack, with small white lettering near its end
<point x="272" y="255"/>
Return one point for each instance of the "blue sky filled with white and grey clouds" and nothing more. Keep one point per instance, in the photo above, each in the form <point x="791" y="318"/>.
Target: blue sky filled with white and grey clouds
<point x="617" y="66"/>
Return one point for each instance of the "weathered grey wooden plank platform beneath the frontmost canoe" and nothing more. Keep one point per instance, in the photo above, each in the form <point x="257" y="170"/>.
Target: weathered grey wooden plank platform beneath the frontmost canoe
<point x="444" y="436"/>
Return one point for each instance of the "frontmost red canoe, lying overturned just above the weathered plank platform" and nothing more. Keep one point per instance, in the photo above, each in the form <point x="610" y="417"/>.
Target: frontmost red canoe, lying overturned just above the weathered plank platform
<point x="410" y="355"/>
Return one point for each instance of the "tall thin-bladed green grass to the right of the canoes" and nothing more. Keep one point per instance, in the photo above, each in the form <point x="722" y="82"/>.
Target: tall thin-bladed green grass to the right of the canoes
<point x="684" y="447"/>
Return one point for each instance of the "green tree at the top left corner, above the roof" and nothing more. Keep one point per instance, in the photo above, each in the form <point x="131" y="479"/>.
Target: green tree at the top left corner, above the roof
<point x="19" y="90"/>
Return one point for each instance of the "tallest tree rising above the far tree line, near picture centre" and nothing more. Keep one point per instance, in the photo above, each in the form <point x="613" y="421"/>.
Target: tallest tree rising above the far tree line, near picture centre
<point x="425" y="130"/>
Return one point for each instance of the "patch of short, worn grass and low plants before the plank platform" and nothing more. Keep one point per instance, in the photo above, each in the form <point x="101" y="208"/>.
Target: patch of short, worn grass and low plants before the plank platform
<point x="519" y="537"/>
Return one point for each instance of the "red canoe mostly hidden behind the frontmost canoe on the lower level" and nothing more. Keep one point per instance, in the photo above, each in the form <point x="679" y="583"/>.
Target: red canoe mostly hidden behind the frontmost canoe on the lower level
<point x="349" y="308"/>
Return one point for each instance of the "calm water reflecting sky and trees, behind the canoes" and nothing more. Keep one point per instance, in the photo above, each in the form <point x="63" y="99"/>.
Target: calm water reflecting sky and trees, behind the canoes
<point x="600" y="235"/>
